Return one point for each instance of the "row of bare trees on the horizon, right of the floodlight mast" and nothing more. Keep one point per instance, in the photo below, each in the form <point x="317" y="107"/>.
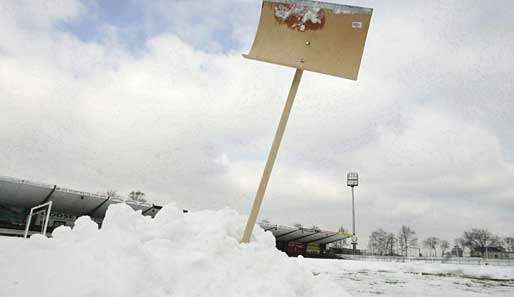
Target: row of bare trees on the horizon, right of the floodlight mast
<point x="479" y="240"/>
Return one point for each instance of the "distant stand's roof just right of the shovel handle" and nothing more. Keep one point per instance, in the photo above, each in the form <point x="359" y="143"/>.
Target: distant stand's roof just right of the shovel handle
<point x="303" y="235"/>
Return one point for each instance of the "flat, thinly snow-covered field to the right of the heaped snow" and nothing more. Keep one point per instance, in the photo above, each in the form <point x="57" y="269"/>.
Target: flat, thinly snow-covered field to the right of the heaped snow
<point x="368" y="278"/>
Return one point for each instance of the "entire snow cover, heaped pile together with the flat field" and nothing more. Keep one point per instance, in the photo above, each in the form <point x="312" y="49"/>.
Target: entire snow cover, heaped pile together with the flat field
<point x="199" y="254"/>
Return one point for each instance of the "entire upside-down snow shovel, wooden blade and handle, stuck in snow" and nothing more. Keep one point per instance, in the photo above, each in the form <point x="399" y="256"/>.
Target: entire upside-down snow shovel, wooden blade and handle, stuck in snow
<point x="306" y="35"/>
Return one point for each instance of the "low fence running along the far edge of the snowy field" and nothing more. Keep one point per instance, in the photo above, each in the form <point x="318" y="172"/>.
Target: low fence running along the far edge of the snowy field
<point x="450" y="260"/>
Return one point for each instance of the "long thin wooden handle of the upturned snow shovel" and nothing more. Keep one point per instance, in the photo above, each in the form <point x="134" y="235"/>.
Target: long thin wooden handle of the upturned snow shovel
<point x="271" y="157"/>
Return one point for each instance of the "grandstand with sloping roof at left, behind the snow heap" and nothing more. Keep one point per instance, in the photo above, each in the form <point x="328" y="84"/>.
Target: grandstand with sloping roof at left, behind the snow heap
<point x="45" y="207"/>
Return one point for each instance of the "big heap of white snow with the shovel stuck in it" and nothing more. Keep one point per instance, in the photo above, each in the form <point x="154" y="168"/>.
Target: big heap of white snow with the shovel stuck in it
<point x="175" y="254"/>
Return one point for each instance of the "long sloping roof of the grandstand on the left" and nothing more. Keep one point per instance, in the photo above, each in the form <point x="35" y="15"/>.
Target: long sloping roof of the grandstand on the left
<point x="27" y="194"/>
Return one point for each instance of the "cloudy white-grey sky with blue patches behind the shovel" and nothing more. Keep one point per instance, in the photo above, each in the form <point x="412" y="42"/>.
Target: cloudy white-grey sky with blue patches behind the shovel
<point x="155" y="96"/>
